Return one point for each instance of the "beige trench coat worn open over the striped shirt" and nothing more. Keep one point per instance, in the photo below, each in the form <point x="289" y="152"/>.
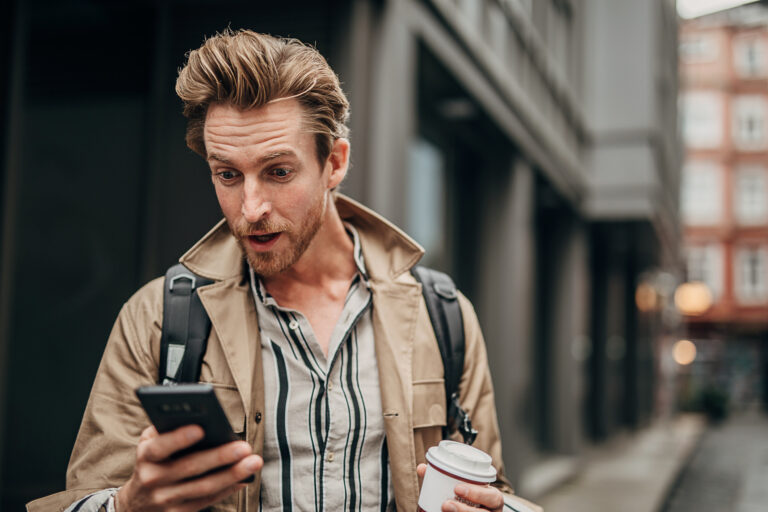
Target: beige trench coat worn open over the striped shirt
<point x="410" y="367"/>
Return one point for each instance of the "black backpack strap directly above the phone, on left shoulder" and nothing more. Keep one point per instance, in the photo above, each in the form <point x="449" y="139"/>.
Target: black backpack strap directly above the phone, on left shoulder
<point x="185" y="326"/>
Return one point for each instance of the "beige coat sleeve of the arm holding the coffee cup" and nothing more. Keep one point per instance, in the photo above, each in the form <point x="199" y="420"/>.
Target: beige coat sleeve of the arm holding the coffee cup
<point x="476" y="392"/>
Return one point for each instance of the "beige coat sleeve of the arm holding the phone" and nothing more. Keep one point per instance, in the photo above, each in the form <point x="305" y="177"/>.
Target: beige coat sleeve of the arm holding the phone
<point x="105" y="450"/>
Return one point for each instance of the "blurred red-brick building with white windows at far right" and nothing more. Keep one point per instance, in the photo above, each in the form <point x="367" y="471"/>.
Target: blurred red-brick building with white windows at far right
<point x="724" y="108"/>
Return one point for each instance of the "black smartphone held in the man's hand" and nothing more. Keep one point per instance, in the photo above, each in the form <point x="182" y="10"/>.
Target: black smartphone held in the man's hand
<point x="171" y="407"/>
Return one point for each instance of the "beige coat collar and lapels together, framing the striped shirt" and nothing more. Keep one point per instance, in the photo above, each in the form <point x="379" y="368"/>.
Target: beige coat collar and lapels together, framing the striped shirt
<point x="389" y="253"/>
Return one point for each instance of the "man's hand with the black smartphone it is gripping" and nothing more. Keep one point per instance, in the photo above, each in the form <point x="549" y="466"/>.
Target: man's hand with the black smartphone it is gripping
<point x="184" y="468"/>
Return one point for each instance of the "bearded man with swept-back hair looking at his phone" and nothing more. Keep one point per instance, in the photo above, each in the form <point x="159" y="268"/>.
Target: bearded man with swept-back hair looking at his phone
<point x="321" y="350"/>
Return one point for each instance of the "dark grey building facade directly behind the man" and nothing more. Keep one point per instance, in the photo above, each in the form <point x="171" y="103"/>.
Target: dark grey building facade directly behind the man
<point x="530" y="146"/>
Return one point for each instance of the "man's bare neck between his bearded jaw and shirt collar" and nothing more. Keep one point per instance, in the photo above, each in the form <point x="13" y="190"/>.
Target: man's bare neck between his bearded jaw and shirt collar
<point x="329" y="257"/>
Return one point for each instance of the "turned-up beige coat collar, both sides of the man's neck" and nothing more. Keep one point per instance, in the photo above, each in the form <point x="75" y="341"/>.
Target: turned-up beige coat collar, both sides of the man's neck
<point x="388" y="251"/>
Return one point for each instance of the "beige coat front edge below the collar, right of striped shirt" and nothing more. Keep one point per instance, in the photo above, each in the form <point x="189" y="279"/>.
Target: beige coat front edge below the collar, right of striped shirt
<point x="395" y="307"/>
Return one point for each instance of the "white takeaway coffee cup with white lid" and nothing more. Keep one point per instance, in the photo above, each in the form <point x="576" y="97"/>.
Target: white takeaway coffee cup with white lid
<point x="450" y="464"/>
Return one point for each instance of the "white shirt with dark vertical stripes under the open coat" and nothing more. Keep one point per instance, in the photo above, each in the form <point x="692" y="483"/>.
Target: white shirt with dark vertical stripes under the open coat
<point x="324" y="441"/>
